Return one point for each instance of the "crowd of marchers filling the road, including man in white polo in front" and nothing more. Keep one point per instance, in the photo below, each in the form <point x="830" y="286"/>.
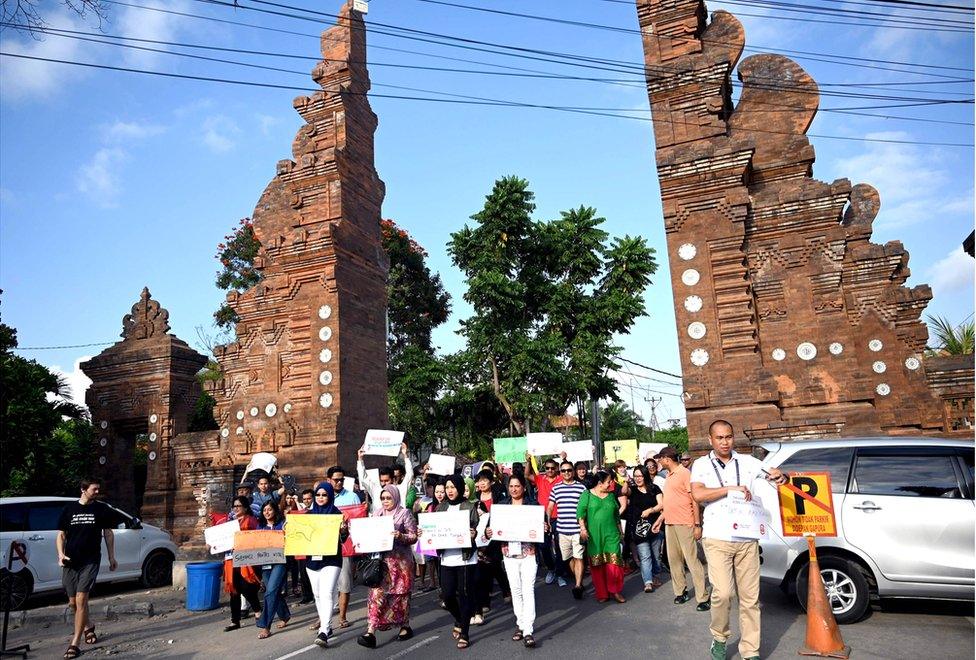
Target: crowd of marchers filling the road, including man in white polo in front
<point x="606" y="522"/>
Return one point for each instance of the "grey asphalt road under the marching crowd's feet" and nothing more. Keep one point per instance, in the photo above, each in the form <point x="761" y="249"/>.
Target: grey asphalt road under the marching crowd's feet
<point x="648" y="625"/>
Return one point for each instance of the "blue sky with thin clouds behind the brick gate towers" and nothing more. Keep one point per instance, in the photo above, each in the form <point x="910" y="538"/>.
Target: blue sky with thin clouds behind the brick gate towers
<point x="112" y="181"/>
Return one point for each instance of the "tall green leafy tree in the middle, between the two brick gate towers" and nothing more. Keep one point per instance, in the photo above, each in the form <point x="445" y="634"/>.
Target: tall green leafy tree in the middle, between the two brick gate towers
<point x="548" y="299"/>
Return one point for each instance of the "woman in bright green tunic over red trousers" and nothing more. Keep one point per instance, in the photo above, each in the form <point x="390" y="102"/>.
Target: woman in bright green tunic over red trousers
<point x="599" y="518"/>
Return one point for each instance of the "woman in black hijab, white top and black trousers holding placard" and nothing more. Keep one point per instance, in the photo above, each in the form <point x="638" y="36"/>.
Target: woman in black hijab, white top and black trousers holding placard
<point x="458" y="564"/>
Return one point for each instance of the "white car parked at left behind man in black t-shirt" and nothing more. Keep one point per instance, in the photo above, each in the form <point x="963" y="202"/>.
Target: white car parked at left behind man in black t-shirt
<point x="142" y="551"/>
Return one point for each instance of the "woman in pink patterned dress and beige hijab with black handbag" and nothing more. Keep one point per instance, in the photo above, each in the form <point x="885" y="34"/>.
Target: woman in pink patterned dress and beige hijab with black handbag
<point x="389" y="603"/>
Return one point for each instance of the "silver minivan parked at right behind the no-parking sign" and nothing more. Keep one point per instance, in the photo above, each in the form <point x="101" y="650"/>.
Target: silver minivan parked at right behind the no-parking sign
<point x="905" y="521"/>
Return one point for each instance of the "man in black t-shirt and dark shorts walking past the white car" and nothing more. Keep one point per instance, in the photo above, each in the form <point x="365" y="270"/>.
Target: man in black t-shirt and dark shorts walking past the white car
<point x="81" y="527"/>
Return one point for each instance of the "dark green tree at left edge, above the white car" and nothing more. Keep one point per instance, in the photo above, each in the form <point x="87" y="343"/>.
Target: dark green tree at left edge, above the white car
<point x="45" y="441"/>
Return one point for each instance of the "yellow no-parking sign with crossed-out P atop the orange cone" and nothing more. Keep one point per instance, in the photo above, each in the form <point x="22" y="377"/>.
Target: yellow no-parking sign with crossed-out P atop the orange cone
<point x="806" y="505"/>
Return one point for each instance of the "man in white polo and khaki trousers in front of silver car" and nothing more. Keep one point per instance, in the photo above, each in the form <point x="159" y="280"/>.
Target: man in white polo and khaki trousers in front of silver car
<point x="731" y="559"/>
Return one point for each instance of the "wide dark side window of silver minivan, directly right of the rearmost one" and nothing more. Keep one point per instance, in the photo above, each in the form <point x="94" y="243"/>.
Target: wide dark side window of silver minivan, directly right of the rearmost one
<point x="907" y="476"/>
